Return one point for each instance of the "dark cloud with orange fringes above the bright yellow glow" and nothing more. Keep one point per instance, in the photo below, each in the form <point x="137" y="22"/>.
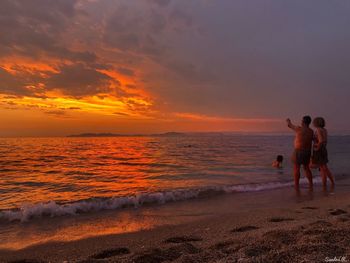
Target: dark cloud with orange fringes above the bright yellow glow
<point x="76" y="80"/>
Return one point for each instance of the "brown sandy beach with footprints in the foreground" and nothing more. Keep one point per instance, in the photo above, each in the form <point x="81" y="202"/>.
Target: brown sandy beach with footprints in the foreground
<point x="273" y="226"/>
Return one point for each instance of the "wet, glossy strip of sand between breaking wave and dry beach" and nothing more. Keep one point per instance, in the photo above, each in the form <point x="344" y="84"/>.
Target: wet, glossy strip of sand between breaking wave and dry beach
<point x="17" y="235"/>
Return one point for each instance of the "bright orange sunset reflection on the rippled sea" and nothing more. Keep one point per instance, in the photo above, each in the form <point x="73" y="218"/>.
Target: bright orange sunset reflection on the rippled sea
<point x="71" y="169"/>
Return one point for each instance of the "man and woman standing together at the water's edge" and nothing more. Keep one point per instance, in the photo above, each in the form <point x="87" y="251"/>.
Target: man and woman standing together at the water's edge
<point x="310" y="146"/>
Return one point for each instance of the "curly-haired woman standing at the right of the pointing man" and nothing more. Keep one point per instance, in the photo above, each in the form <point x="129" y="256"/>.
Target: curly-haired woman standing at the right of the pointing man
<point x="320" y="154"/>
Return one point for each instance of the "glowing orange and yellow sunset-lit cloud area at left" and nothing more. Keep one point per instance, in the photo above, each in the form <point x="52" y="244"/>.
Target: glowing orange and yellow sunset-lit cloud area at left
<point x="32" y="78"/>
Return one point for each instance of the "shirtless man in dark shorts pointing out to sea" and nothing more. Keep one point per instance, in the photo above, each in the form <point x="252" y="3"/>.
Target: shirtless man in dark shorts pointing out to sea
<point x="302" y="149"/>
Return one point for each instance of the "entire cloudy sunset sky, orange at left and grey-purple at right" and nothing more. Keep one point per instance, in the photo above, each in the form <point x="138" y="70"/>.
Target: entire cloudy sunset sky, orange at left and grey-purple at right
<point x="149" y="66"/>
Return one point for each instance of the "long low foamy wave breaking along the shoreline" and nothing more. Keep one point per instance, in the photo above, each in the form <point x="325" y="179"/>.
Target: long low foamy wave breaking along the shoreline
<point x="53" y="209"/>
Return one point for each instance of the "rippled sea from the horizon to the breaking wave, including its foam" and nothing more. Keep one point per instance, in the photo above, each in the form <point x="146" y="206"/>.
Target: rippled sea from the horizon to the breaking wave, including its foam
<point x="52" y="177"/>
